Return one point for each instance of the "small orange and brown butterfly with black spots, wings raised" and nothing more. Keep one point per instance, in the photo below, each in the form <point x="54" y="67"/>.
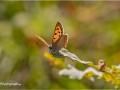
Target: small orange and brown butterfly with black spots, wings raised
<point x="59" y="41"/>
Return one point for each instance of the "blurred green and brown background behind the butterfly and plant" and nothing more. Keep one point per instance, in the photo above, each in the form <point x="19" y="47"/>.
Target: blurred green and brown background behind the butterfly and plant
<point x="94" y="33"/>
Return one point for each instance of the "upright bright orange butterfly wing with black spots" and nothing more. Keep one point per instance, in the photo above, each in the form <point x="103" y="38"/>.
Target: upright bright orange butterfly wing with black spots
<point x="58" y="32"/>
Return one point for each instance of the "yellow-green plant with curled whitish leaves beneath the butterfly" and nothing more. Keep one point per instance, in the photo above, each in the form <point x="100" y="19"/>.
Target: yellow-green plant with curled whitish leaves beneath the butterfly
<point x="109" y="74"/>
